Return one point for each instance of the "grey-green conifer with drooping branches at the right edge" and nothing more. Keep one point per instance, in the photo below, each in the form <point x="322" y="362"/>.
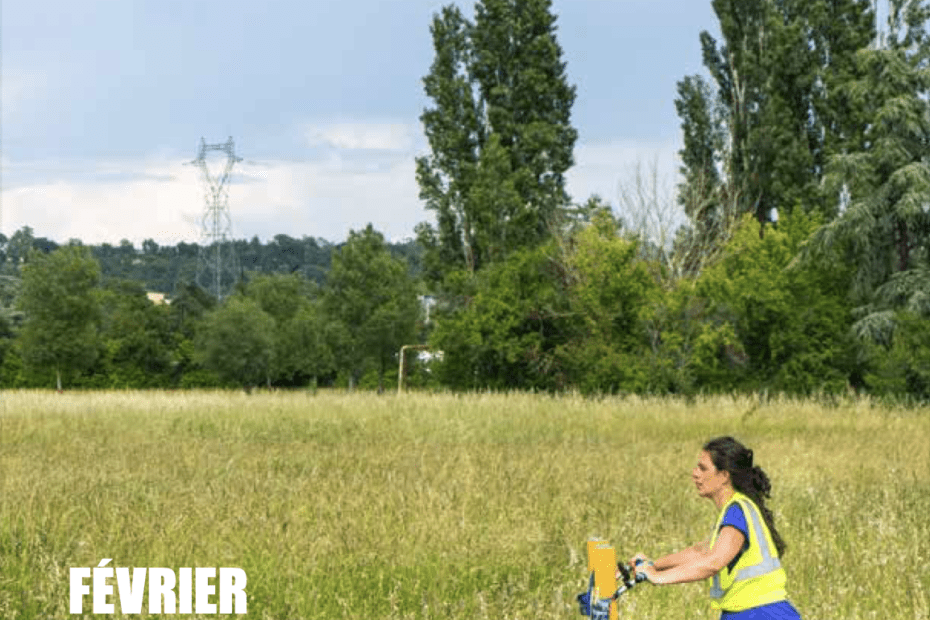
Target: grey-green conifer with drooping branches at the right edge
<point x="882" y="186"/>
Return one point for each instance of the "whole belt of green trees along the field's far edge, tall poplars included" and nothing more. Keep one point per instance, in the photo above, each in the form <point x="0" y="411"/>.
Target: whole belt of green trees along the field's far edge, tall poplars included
<point x="802" y="264"/>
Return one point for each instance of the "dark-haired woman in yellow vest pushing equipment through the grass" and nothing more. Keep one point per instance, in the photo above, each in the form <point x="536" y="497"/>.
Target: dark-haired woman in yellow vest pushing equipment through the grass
<point x="742" y="559"/>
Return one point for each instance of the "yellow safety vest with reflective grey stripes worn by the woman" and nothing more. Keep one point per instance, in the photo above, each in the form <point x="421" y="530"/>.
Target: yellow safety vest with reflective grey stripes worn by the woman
<point x="757" y="578"/>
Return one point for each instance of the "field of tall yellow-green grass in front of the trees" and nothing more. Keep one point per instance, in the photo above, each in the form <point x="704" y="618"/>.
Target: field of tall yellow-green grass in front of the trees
<point x="442" y="506"/>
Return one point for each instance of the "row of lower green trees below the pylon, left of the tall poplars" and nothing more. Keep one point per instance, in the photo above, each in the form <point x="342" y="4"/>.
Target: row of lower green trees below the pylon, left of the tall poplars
<point x="65" y="324"/>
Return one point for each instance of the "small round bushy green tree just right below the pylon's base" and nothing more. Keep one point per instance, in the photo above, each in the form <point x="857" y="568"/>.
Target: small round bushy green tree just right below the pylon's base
<point x="236" y="341"/>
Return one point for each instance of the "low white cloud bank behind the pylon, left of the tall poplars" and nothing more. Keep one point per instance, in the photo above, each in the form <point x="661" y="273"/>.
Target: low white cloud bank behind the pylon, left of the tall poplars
<point x="165" y="200"/>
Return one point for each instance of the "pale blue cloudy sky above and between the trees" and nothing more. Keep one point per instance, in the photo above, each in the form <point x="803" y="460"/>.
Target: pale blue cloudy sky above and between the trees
<point x="105" y="103"/>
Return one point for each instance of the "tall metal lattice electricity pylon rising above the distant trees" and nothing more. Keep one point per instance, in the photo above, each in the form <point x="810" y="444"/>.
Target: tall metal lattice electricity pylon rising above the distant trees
<point x="218" y="266"/>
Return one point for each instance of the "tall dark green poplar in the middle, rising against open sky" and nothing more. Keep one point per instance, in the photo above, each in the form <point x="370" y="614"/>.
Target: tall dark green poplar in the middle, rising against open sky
<point x="499" y="133"/>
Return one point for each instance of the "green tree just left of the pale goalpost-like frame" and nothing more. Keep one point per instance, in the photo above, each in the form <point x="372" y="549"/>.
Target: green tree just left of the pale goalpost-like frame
<point x="373" y="296"/>
